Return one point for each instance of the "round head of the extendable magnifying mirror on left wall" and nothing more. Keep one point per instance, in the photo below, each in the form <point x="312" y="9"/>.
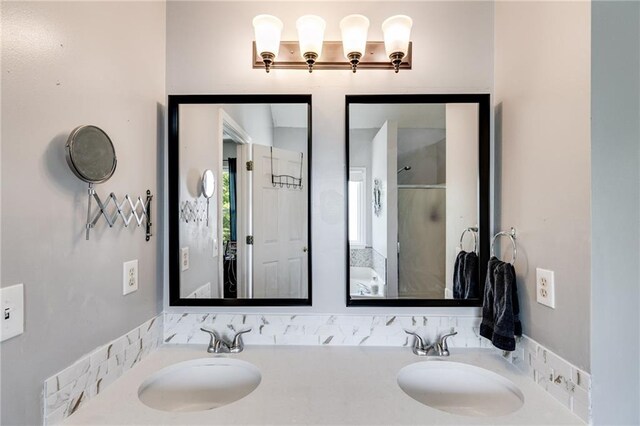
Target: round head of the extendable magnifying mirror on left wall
<point x="90" y="154"/>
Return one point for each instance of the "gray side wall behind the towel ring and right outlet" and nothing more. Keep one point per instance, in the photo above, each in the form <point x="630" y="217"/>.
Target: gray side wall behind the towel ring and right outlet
<point x="542" y="95"/>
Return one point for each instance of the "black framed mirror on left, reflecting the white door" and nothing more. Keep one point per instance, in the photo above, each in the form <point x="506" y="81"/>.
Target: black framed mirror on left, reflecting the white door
<point x="239" y="192"/>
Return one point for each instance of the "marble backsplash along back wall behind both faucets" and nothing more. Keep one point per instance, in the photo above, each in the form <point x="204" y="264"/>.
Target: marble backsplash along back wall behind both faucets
<point x="348" y="330"/>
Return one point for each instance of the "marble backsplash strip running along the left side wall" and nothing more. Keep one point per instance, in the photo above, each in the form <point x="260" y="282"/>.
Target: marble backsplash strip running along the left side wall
<point x="72" y="387"/>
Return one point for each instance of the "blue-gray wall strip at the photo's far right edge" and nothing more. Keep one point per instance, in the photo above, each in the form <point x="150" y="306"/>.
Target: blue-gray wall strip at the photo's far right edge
<point x="615" y="192"/>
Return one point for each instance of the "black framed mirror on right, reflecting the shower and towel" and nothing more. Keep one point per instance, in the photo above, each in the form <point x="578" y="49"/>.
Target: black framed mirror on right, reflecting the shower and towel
<point x="417" y="199"/>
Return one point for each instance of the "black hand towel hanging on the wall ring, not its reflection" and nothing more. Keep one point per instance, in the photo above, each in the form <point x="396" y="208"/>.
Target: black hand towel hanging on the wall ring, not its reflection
<point x="500" y="310"/>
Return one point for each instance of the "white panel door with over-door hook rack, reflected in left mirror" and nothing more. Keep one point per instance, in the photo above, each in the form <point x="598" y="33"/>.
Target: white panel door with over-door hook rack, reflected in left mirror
<point x="280" y="239"/>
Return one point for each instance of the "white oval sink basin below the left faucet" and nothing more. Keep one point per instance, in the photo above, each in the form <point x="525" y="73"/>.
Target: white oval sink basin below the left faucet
<point x="200" y="384"/>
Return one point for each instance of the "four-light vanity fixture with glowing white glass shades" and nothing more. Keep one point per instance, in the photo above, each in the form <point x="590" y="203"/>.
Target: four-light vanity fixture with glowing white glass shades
<point x="312" y="52"/>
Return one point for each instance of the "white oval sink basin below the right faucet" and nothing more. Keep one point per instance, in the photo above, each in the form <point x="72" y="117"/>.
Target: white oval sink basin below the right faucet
<point x="460" y="388"/>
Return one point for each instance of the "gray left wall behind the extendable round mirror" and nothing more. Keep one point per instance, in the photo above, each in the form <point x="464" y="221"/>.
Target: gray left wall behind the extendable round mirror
<point x="63" y="65"/>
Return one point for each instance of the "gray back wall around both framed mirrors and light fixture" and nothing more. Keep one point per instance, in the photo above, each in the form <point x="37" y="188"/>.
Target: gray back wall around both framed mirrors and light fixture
<point x="452" y="52"/>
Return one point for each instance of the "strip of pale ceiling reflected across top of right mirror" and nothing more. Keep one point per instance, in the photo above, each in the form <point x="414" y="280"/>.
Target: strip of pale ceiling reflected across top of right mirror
<point x="408" y="116"/>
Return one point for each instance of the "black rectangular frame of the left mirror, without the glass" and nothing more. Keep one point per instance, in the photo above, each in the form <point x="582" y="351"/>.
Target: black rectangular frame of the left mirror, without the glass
<point x="174" y="197"/>
